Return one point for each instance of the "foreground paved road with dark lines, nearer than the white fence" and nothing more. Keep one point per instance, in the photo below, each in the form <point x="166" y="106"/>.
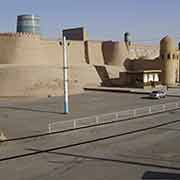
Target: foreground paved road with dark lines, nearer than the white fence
<point x="147" y="154"/>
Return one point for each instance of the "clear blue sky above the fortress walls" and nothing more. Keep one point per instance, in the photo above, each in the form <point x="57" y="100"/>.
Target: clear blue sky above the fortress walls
<point x="104" y="19"/>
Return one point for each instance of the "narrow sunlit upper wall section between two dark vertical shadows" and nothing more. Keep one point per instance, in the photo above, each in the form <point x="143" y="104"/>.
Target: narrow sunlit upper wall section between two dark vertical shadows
<point x="94" y="53"/>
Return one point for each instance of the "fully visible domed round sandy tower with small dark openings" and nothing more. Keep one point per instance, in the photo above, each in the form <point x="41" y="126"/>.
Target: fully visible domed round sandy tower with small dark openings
<point x="169" y="61"/>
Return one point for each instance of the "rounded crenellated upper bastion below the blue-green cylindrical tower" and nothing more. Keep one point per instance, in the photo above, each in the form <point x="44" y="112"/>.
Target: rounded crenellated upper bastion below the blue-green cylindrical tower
<point x="20" y="48"/>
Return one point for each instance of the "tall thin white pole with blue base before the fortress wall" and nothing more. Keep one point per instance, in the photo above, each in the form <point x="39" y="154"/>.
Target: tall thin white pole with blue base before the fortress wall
<point x="65" y="74"/>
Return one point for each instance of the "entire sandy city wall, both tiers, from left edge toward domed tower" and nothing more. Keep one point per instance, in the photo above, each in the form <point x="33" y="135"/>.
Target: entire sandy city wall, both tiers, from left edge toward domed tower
<point x="32" y="66"/>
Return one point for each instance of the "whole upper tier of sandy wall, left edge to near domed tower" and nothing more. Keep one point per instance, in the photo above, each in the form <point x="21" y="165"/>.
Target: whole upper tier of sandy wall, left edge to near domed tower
<point x="28" y="49"/>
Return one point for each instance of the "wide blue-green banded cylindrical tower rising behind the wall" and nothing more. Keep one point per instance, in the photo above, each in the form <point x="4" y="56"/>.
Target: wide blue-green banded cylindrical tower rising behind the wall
<point x="28" y="24"/>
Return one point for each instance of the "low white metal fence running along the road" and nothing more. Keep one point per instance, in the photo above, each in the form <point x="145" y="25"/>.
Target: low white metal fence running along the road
<point x="111" y="117"/>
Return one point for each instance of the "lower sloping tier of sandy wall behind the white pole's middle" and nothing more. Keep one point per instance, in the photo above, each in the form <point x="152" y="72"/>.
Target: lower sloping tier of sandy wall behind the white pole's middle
<point x="21" y="80"/>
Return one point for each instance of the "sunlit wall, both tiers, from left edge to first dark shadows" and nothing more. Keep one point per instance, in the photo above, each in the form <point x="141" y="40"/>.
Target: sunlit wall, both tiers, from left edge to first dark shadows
<point x="32" y="66"/>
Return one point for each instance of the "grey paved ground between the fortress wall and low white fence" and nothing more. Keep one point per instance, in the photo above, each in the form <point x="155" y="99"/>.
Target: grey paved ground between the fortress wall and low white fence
<point x="22" y="117"/>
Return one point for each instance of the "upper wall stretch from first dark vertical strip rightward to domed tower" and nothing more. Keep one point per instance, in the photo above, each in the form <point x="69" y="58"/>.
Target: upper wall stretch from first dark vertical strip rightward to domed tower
<point x="116" y="54"/>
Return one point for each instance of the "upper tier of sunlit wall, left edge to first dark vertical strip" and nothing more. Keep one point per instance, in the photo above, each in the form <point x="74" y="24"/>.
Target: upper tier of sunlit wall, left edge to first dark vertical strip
<point x="28" y="49"/>
